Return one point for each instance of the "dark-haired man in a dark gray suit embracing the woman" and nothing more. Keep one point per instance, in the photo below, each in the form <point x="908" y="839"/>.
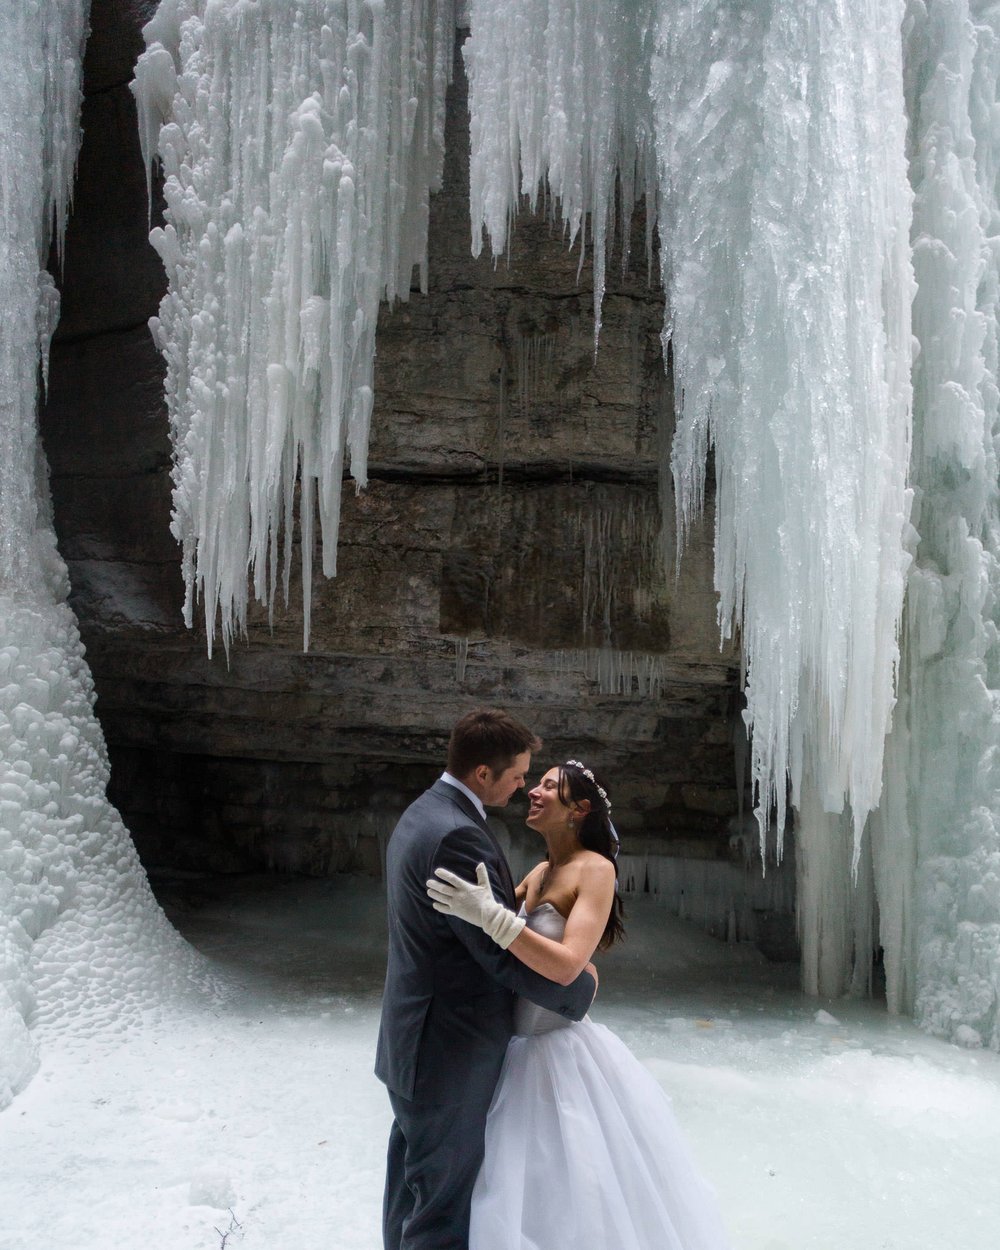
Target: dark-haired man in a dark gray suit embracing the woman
<point x="449" y="989"/>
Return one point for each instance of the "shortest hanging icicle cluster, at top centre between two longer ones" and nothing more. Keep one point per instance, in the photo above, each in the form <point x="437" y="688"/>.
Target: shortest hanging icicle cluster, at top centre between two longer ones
<point x="559" y="102"/>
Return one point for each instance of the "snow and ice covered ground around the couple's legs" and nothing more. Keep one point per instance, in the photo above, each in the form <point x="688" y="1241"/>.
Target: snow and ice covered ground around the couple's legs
<point x="253" y="1119"/>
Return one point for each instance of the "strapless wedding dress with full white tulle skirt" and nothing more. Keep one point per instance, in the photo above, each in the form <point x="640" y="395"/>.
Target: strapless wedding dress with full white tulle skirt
<point x="582" y="1146"/>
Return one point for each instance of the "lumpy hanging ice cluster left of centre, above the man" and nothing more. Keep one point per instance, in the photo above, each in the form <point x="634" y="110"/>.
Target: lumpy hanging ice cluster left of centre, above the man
<point x="299" y="141"/>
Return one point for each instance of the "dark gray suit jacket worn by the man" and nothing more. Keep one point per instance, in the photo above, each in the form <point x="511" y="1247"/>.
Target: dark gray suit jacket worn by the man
<point x="448" y="1009"/>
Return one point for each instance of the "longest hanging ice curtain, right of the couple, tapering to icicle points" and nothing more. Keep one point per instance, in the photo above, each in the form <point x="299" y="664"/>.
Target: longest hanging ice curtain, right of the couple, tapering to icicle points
<point x="786" y="222"/>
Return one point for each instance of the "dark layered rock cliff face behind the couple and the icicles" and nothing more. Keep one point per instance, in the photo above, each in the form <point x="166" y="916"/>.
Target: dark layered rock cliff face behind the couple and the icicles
<point x="509" y="549"/>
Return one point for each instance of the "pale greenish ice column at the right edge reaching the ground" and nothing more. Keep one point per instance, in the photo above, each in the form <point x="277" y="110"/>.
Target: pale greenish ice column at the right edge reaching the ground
<point x="939" y="833"/>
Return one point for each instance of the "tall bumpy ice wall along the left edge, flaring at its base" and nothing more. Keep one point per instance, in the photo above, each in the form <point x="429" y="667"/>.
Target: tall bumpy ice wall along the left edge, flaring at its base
<point x="81" y="934"/>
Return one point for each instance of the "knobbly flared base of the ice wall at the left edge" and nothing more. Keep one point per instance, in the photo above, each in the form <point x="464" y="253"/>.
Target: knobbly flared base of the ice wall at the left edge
<point x="82" y="936"/>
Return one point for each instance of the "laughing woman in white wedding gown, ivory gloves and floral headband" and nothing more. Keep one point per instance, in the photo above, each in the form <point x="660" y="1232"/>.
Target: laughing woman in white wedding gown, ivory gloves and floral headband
<point x="582" y="1146"/>
